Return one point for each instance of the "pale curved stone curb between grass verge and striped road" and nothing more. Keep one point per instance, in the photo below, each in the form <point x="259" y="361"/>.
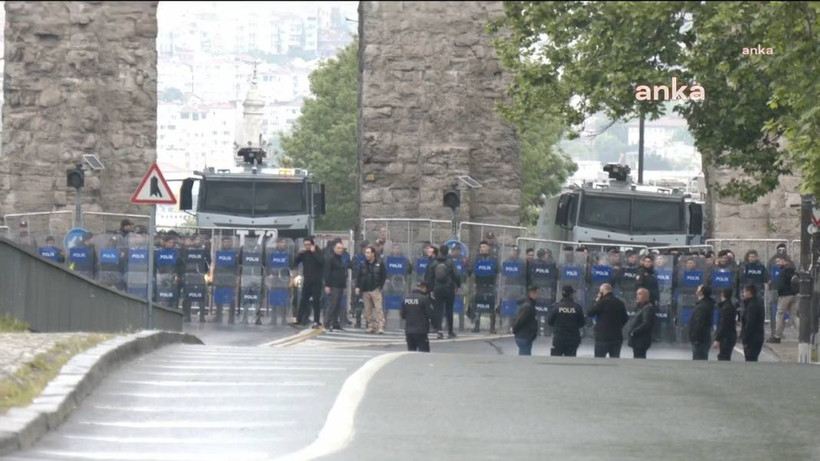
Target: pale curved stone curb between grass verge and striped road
<point x="20" y="428"/>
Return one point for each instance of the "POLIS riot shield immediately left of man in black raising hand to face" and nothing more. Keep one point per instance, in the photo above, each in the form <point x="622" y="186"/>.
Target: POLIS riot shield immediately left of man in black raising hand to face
<point x="279" y="280"/>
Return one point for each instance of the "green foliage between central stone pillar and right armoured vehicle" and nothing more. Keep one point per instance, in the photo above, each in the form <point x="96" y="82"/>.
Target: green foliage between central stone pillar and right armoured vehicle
<point x="544" y="168"/>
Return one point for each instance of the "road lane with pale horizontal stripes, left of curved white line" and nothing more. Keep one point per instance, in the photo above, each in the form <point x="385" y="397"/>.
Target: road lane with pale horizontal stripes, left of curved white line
<point x="203" y="403"/>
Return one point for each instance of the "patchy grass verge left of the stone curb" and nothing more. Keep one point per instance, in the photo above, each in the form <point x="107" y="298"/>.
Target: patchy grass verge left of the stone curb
<point x="30" y="380"/>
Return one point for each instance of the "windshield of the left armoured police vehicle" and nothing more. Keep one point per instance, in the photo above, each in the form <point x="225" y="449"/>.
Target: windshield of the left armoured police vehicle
<point x="253" y="198"/>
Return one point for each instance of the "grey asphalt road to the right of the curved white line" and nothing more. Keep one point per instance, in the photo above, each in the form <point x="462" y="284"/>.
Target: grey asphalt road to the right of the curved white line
<point x="494" y="407"/>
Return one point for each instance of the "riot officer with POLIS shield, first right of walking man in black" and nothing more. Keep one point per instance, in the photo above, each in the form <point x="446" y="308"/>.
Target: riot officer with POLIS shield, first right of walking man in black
<point x="484" y="287"/>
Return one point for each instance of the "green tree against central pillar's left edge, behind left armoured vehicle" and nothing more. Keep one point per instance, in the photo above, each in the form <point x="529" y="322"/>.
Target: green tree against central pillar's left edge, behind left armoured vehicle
<point x="323" y="139"/>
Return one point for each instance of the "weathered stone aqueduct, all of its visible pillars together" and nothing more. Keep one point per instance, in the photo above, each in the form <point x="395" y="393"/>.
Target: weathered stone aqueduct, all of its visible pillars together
<point x="81" y="77"/>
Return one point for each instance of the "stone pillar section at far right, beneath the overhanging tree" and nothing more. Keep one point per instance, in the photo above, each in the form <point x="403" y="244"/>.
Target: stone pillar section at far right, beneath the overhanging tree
<point x="776" y="215"/>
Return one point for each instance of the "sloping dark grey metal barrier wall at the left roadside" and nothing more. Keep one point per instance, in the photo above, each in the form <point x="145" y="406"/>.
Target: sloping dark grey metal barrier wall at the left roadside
<point x="51" y="298"/>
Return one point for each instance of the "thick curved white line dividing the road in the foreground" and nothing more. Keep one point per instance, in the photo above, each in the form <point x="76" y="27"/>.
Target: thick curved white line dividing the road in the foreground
<point x="337" y="432"/>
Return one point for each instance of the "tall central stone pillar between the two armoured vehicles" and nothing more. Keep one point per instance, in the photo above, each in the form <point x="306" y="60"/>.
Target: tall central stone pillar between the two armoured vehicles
<point x="429" y="82"/>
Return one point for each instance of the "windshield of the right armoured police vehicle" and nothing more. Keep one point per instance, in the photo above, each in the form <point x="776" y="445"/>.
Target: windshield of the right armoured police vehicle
<point x="626" y="214"/>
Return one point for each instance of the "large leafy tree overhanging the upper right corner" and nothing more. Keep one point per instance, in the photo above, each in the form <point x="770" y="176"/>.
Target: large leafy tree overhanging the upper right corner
<point x="573" y="59"/>
